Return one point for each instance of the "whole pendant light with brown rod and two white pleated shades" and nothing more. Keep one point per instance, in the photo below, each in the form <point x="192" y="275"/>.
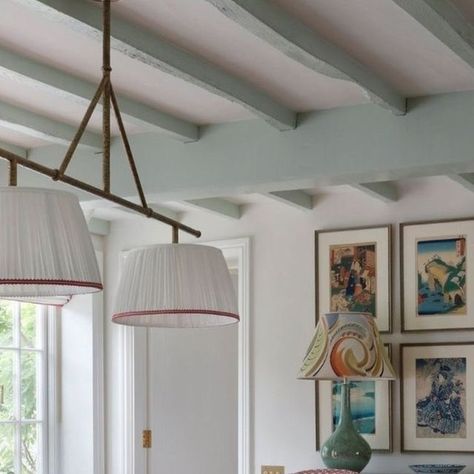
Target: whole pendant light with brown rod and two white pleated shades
<point x="173" y="285"/>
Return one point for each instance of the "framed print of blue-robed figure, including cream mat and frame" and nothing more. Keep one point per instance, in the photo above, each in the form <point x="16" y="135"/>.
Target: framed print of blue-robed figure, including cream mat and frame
<point x="437" y="392"/>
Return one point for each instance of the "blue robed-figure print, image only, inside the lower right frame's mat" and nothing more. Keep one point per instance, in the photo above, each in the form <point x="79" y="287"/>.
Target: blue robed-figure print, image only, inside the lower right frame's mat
<point x="441" y="398"/>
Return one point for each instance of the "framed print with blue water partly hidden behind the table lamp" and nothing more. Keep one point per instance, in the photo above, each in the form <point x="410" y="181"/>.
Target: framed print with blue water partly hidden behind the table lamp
<point x="371" y="405"/>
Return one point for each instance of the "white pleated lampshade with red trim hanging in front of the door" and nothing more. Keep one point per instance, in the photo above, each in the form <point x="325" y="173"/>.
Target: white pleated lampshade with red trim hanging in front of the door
<point x="175" y="286"/>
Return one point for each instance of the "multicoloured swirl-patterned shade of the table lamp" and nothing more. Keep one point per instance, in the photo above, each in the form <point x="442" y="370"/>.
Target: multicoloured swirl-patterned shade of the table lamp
<point x="346" y="345"/>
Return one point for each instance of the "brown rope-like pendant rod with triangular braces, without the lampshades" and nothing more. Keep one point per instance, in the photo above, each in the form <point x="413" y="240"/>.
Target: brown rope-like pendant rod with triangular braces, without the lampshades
<point x="109" y="101"/>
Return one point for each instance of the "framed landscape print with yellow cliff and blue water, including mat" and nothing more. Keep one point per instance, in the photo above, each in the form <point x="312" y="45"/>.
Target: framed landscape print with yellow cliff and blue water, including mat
<point x="437" y="275"/>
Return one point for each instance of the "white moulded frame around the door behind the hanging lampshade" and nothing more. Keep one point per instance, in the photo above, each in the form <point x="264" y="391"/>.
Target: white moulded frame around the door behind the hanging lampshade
<point x="133" y="384"/>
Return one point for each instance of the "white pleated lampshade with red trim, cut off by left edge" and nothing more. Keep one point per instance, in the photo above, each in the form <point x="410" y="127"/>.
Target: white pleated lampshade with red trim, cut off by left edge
<point x="45" y="246"/>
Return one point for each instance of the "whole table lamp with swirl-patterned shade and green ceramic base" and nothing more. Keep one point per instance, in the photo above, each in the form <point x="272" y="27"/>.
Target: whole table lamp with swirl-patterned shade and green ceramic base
<point x="347" y="347"/>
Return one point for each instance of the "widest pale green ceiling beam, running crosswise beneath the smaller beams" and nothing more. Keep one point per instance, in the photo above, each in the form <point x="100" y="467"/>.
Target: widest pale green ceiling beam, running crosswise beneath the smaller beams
<point x="434" y="139"/>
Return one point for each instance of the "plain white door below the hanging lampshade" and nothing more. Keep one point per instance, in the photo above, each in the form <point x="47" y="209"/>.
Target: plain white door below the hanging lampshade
<point x="193" y="406"/>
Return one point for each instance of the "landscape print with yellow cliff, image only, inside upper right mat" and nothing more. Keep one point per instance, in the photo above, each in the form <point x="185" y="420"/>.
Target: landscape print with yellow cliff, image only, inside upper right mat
<point x="441" y="276"/>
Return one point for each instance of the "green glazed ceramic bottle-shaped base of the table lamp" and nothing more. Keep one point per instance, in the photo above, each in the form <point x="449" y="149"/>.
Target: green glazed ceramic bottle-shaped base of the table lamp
<point x="346" y="448"/>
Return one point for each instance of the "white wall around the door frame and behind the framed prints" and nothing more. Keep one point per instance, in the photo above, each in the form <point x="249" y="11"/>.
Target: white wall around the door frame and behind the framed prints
<point x="282" y="311"/>
